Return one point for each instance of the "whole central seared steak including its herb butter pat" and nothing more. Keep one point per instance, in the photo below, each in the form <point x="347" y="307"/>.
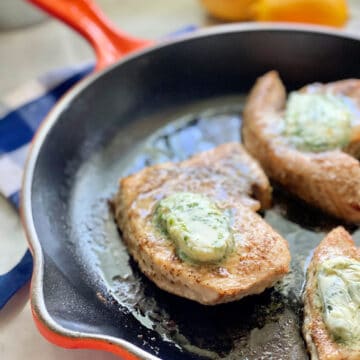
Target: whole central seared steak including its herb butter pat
<point x="224" y="180"/>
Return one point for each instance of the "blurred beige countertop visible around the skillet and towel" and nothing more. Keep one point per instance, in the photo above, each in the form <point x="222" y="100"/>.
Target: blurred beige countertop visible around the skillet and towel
<point x="24" y="55"/>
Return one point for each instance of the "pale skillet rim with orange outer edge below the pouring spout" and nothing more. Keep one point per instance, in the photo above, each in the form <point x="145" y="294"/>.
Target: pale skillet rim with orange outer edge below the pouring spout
<point x="47" y="326"/>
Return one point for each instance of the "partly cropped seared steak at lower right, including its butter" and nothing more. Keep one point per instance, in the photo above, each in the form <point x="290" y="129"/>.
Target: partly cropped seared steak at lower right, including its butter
<point x="332" y="299"/>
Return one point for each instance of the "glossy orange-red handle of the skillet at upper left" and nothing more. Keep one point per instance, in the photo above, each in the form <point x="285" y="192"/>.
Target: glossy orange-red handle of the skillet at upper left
<point x="85" y="17"/>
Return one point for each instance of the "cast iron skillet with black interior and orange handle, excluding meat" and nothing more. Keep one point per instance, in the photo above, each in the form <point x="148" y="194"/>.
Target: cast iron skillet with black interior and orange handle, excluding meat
<point x="86" y="292"/>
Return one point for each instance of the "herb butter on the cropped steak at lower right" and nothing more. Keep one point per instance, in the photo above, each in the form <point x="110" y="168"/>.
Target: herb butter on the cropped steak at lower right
<point x="339" y="291"/>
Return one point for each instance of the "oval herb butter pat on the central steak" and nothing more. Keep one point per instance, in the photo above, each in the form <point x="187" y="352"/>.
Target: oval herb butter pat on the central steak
<point x="200" y="230"/>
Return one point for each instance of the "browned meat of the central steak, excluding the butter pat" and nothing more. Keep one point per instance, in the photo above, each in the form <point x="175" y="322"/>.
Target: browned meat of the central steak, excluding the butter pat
<point x="228" y="176"/>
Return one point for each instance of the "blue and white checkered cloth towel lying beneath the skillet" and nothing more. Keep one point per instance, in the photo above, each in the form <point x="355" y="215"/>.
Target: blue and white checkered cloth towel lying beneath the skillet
<point x="20" y="115"/>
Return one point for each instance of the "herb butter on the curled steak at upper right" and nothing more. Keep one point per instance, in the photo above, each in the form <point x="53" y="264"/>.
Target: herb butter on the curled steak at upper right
<point x="317" y="122"/>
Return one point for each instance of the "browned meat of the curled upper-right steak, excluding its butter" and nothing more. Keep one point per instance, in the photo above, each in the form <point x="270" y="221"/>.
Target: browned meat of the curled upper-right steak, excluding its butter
<point x="328" y="180"/>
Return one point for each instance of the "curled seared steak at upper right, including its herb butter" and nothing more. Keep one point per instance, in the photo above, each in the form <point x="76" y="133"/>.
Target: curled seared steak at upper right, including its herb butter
<point x="305" y="145"/>
